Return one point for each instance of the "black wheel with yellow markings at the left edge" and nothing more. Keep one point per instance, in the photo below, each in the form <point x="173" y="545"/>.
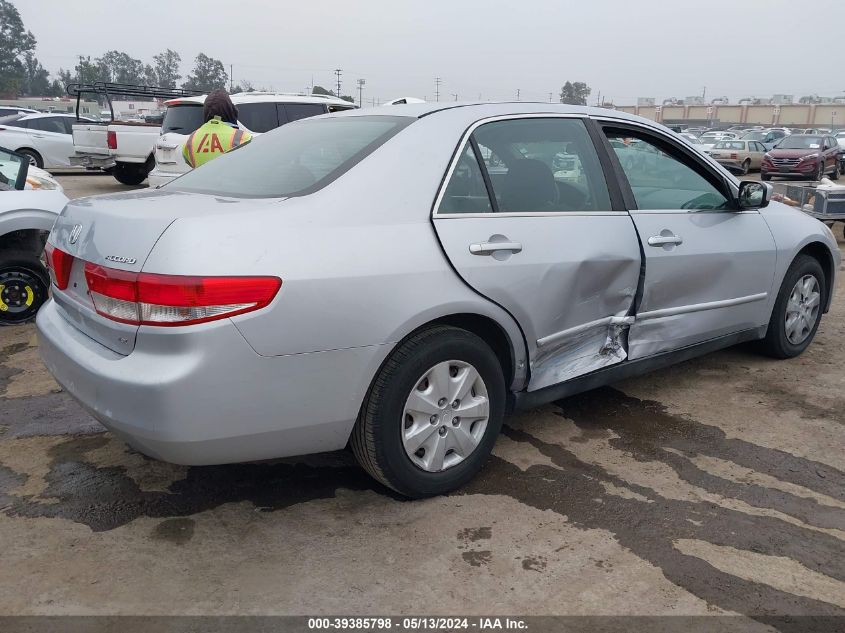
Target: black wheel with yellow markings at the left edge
<point x="23" y="286"/>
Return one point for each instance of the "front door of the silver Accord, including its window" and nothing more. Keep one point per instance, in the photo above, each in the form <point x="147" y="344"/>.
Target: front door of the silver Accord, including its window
<point x="709" y="268"/>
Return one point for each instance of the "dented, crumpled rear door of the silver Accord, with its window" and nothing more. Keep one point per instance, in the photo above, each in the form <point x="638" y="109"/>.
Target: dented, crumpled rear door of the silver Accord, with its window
<point x="528" y="220"/>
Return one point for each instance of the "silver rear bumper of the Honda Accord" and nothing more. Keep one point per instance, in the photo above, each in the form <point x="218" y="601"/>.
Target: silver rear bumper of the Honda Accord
<point x="204" y="396"/>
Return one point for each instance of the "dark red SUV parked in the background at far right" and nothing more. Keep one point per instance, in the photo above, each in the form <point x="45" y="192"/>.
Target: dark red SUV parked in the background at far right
<point x="811" y="156"/>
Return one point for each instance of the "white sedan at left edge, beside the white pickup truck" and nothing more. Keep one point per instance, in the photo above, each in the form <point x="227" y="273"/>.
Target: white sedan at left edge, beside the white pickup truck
<point x="44" y="138"/>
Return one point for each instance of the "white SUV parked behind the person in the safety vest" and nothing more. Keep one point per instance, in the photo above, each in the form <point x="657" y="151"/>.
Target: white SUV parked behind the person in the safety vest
<point x="258" y="112"/>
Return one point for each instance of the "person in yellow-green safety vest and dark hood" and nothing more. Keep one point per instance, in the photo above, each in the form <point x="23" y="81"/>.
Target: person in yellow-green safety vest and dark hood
<point x="219" y="134"/>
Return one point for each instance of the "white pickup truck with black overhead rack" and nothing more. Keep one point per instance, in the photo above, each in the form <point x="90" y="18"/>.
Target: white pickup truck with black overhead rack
<point x="124" y="149"/>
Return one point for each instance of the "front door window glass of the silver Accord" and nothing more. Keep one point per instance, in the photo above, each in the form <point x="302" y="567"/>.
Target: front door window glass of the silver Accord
<point x="660" y="176"/>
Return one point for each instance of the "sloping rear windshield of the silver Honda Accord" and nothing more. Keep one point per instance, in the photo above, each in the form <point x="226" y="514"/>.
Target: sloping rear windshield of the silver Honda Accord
<point x="293" y="160"/>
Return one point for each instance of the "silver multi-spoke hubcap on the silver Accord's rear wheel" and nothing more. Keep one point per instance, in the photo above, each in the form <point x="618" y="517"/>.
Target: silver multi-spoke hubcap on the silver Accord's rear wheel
<point x="445" y="416"/>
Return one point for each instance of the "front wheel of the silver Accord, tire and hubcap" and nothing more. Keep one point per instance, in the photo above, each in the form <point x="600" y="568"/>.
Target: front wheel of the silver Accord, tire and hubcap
<point x="798" y="309"/>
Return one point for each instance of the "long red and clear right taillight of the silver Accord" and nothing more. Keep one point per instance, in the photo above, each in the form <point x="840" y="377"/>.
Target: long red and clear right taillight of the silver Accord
<point x="169" y="300"/>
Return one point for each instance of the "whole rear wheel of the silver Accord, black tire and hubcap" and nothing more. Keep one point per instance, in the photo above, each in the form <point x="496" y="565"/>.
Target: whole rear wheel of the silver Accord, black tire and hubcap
<point x="432" y="414"/>
